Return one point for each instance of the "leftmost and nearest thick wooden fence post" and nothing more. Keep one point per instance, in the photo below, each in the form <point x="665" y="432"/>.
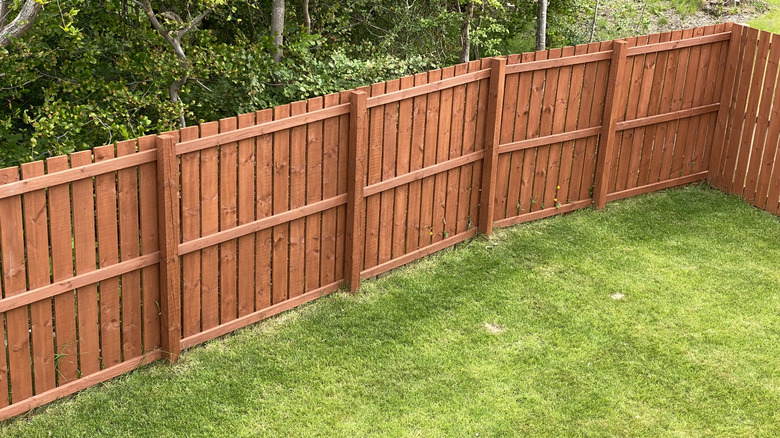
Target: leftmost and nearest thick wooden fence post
<point x="168" y="226"/>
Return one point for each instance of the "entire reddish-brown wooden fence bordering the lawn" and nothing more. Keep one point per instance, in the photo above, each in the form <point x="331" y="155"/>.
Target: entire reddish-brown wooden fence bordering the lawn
<point x="127" y="254"/>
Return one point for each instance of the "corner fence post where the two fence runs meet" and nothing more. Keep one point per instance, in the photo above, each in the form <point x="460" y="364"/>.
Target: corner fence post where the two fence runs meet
<point x="717" y="147"/>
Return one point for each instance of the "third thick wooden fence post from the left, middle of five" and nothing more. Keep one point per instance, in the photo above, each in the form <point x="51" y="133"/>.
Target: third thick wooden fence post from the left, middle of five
<point x="492" y="135"/>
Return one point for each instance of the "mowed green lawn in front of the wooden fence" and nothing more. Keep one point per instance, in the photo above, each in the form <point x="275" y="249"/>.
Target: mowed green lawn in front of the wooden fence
<point x="518" y="334"/>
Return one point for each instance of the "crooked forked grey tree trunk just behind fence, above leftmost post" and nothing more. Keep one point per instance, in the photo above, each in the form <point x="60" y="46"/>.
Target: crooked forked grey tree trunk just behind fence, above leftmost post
<point x="174" y="39"/>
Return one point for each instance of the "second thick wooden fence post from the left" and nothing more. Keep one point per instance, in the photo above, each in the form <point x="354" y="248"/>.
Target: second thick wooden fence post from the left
<point x="356" y="174"/>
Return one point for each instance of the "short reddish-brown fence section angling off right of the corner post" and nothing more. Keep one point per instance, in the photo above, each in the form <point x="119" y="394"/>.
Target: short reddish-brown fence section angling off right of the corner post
<point x="746" y="138"/>
